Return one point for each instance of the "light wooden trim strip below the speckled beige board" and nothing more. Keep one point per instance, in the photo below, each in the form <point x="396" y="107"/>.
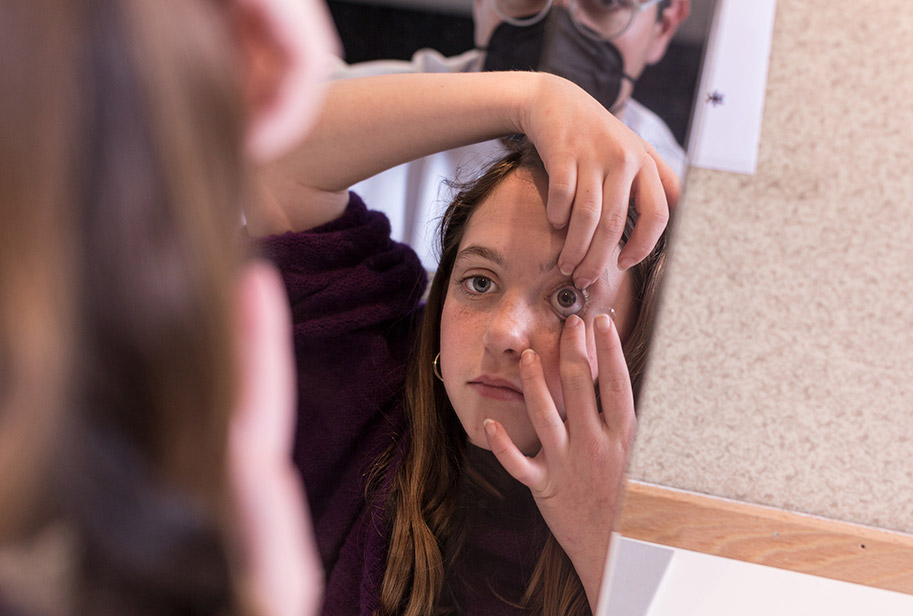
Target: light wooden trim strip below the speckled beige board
<point x="768" y="536"/>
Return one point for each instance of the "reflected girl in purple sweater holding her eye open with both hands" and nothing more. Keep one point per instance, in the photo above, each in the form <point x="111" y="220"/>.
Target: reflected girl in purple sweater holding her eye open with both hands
<point x="466" y="455"/>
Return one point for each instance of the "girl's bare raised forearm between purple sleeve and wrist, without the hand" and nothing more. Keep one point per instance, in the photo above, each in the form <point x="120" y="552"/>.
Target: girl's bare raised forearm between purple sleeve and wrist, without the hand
<point x="371" y="124"/>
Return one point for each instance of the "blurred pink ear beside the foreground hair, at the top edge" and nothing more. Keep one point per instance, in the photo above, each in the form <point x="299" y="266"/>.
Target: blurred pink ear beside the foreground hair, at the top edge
<point x="285" y="45"/>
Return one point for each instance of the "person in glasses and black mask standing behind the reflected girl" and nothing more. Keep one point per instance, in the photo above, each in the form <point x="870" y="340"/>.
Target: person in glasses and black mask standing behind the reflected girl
<point x="601" y="45"/>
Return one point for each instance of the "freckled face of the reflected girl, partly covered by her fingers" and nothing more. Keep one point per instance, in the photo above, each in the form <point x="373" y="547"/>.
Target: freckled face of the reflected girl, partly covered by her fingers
<point x="506" y="295"/>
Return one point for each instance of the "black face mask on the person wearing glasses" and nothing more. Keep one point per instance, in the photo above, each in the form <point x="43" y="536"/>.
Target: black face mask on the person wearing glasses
<point x="555" y="45"/>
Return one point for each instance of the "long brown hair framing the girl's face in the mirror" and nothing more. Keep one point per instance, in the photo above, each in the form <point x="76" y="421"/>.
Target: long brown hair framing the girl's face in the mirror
<point x="423" y="499"/>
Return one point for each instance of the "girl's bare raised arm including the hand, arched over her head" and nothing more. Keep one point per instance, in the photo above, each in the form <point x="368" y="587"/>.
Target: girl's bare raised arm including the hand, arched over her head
<point x="368" y="125"/>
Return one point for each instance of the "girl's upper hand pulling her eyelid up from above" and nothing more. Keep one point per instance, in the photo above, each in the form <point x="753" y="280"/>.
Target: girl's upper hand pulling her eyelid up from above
<point x="595" y="164"/>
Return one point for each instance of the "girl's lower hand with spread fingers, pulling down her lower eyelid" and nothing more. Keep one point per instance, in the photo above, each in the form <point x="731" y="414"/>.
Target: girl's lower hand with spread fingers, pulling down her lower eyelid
<point x="577" y="475"/>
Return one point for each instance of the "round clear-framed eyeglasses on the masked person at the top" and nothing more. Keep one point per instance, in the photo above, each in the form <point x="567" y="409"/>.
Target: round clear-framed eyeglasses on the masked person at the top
<point x="597" y="19"/>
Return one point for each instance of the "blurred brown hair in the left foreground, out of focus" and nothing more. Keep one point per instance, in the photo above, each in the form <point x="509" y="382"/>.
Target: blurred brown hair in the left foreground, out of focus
<point x="138" y="166"/>
